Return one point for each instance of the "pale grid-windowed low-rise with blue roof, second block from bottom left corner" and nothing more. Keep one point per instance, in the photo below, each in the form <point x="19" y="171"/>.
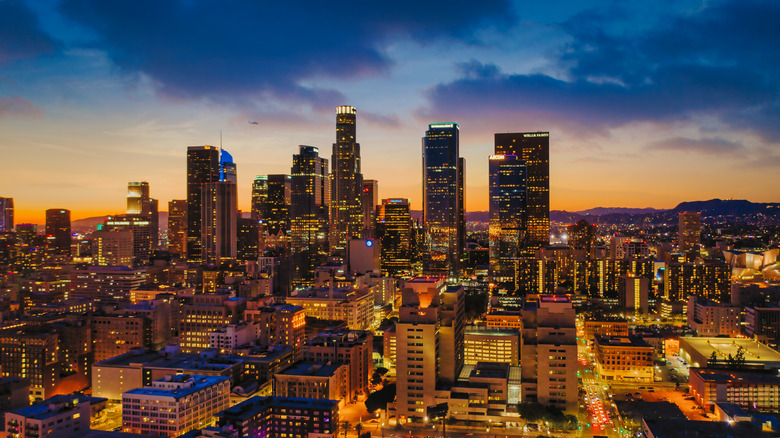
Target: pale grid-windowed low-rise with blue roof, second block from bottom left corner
<point x="175" y="404"/>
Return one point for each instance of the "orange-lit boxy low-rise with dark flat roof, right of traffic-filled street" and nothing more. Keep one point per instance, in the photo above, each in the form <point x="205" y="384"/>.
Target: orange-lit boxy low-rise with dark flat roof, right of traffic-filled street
<point x="624" y="358"/>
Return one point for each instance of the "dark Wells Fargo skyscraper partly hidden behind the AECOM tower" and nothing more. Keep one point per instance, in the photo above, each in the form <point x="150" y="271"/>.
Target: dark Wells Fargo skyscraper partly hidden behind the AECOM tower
<point x="534" y="149"/>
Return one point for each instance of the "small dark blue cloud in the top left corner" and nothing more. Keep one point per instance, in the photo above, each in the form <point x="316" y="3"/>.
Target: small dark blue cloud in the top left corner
<point x="20" y="33"/>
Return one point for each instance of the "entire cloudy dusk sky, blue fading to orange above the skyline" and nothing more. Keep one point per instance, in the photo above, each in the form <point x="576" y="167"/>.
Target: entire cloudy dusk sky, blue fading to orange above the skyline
<point x="648" y="103"/>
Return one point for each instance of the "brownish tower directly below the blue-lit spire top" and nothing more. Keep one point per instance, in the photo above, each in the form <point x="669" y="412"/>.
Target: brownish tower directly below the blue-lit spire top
<point x="219" y="216"/>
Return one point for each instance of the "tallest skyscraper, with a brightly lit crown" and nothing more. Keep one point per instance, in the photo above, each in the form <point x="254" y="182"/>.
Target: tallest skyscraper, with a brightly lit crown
<point x="346" y="181"/>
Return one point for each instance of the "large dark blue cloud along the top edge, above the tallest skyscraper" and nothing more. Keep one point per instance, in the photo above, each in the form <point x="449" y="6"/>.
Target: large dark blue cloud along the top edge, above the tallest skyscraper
<point x="231" y="49"/>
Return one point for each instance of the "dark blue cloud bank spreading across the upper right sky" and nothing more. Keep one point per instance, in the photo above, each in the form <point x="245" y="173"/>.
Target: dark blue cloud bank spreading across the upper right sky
<point x="720" y="61"/>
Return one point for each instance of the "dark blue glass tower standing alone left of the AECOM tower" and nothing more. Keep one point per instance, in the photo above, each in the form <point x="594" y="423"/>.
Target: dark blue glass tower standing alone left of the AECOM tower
<point x="443" y="203"/>
